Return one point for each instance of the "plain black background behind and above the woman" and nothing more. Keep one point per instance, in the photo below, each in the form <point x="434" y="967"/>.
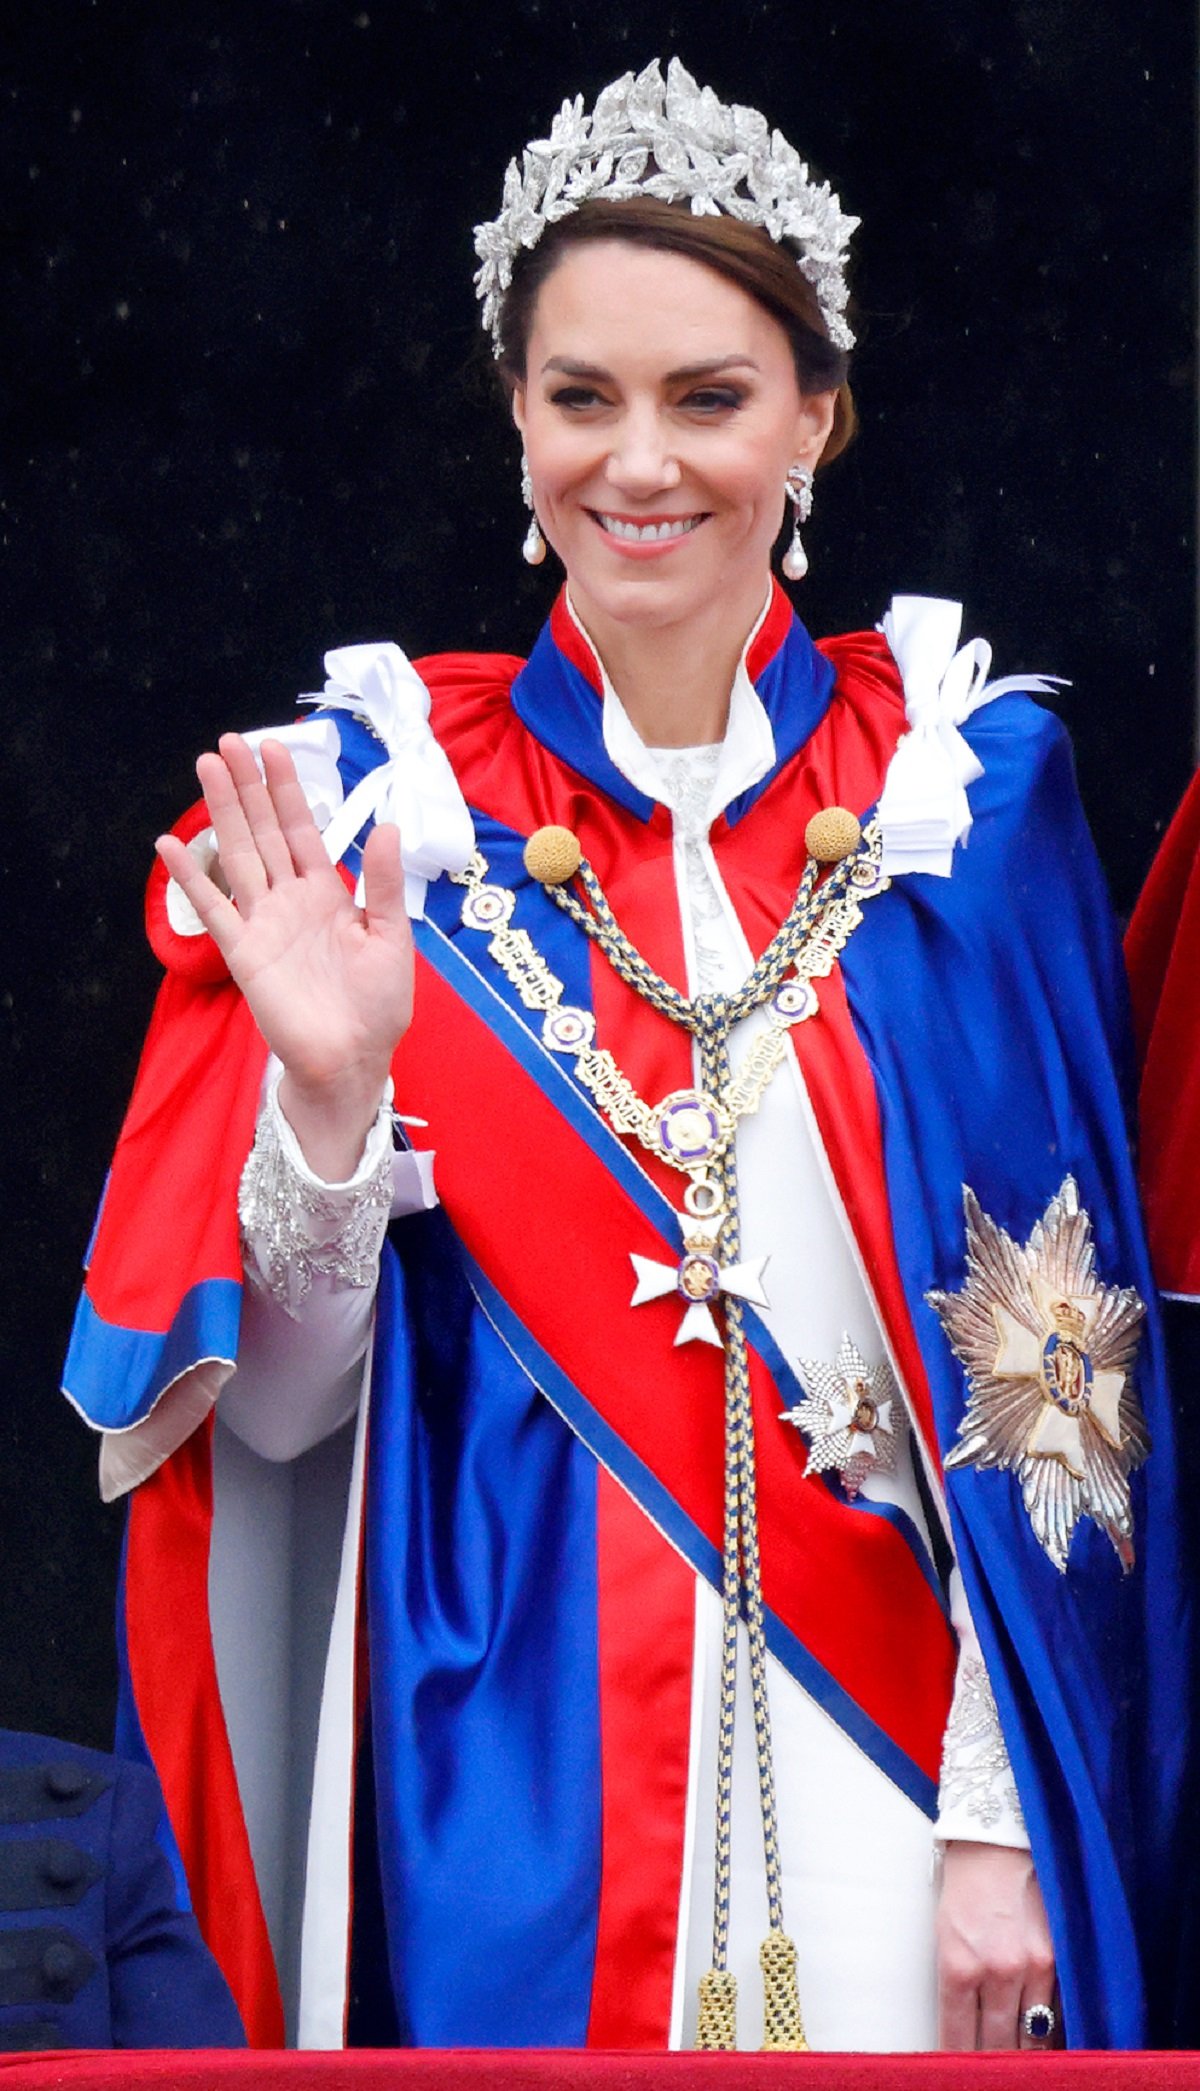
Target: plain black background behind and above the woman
<point x="248" y="419"/>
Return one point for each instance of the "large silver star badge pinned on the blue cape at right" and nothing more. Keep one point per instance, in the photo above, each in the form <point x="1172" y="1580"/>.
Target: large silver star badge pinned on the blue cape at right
<point x="1048" y="1356"/>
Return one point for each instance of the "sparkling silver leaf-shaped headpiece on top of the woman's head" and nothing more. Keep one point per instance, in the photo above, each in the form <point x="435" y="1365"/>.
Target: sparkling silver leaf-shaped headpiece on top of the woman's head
<point x="668" y="139"/>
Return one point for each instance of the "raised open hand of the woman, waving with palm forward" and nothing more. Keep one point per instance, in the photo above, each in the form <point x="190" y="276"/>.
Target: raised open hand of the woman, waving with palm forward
<point x="329" y="984"/>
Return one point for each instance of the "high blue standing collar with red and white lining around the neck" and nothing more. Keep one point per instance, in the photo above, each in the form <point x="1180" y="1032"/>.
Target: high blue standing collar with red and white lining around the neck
<point x="781" y="691"/>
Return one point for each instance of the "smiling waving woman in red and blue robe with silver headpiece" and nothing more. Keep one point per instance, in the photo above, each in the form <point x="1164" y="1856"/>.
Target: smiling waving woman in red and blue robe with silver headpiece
<point x="689" y="1021"/>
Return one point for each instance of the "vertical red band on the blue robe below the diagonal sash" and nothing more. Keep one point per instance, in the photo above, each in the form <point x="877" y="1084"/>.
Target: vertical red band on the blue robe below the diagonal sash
<point x="647" y="1632"/>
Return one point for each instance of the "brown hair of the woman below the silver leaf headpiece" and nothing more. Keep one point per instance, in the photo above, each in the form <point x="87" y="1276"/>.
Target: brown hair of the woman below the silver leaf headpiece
<point x="743" y="254"/>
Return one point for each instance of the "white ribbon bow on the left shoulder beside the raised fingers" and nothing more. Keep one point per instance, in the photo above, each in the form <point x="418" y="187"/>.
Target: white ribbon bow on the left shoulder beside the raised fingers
<point x="415" y="787"/>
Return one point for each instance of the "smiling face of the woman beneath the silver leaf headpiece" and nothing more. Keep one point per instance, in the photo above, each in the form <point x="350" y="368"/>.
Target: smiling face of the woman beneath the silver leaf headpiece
<point x="662" y="413"/>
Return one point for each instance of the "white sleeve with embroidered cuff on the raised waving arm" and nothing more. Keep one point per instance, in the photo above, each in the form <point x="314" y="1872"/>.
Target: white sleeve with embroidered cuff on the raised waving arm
<point x="313" y="1262"/>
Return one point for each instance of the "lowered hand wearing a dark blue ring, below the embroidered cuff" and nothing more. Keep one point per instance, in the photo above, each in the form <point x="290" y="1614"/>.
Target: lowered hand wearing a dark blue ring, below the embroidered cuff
<point x="994" y="1954"/>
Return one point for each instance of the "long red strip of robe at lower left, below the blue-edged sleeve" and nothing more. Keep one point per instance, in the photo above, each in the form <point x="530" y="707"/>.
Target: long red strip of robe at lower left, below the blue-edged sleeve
<point x="175" y="1680"/>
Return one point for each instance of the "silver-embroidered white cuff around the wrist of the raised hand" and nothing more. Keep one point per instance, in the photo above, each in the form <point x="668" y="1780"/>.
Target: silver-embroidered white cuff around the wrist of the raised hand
<point x="298" y="1228"/>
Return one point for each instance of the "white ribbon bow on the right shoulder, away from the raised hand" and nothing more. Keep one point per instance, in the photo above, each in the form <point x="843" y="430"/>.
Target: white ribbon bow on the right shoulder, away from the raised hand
<point x="923" y="808"/>
